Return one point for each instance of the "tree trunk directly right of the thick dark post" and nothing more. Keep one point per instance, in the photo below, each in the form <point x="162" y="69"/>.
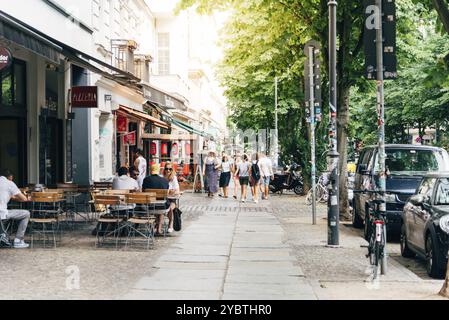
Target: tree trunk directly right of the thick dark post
<point x="342" y="127"/>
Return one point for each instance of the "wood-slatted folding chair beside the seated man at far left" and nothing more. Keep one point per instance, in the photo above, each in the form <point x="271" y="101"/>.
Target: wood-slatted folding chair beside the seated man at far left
<point x="45" y="216"/>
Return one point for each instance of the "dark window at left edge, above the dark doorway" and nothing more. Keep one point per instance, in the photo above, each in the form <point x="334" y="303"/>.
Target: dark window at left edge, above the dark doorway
<point x="13" y="85"/>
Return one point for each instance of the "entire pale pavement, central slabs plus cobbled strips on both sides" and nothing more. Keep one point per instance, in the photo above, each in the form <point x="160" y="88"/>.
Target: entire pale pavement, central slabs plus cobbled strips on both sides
<point x="226" y="250"/>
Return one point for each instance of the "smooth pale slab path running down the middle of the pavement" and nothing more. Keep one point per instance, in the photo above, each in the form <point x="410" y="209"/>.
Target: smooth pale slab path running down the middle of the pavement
<point x="234" y="252"/>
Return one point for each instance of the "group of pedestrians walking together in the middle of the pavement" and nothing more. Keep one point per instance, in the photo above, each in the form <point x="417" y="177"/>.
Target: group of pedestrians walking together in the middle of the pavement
<point x="255" y="173"/>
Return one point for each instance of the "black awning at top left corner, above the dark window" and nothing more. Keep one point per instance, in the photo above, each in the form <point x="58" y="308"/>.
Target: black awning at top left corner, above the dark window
<point x="23" y="35"/>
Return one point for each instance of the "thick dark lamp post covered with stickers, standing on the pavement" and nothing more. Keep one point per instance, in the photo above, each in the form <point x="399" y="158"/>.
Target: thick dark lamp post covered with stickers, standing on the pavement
<point x="333" y="203"/>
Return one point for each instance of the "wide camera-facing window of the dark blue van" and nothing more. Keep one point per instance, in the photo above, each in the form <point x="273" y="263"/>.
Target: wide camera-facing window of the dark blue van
<point x="412" y="160"/>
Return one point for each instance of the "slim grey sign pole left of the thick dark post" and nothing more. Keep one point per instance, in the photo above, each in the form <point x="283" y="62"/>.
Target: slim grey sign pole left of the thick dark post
<point x="312" y="128"/>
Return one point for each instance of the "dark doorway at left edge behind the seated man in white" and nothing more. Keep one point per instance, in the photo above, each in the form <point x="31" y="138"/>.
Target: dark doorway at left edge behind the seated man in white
<point x="13" y="144"/>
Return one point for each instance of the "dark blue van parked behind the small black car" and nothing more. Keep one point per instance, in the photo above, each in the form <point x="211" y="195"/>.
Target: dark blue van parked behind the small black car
<point x="406" y="165"/>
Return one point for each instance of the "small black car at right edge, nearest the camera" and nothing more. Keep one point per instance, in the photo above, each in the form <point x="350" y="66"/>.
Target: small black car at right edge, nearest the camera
<point x="425" y="228"/>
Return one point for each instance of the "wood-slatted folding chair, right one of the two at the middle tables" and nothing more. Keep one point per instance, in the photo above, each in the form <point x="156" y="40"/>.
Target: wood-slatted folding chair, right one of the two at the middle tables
<point x="141" y="220"/>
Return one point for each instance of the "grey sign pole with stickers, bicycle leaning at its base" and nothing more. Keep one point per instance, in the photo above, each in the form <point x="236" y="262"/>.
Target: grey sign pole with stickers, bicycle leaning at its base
<point x="381" y="117"/>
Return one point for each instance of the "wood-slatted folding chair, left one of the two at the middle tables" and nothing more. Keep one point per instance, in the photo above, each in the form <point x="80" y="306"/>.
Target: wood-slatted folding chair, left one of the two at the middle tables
<point x="107" y="218"/>
